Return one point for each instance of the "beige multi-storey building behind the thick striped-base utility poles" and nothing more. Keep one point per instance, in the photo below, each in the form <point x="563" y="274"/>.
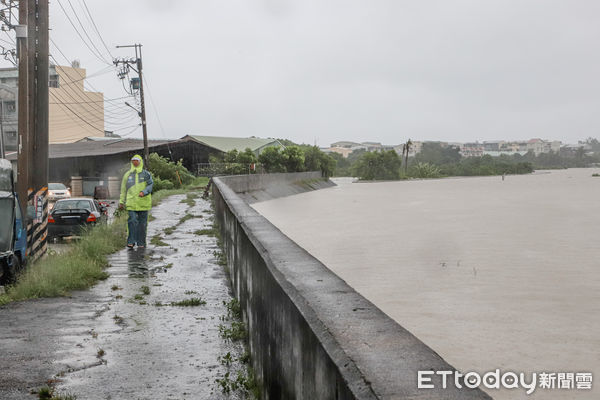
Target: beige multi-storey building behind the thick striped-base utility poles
<point x="74" y="113"/>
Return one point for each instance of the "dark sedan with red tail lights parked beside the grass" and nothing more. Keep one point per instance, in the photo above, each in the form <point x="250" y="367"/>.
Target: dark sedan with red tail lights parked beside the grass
<point x="70" y="216"/>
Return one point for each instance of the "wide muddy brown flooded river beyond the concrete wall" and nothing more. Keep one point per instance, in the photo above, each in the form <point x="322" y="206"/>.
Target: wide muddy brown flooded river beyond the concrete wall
<point x="490" y="273"/>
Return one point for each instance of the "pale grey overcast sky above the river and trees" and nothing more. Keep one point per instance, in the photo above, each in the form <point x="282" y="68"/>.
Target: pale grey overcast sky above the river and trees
<point x="328" y="70"/>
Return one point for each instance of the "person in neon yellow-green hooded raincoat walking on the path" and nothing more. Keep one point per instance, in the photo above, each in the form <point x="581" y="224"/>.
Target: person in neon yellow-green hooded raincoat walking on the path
<point x="136" y="198"/>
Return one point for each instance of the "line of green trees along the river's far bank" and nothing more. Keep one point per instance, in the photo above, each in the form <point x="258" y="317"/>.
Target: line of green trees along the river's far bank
<point x="434" y="161"/>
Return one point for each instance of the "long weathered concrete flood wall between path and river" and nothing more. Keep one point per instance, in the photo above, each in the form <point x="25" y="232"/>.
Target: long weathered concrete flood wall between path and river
<point x="312" y="336"/>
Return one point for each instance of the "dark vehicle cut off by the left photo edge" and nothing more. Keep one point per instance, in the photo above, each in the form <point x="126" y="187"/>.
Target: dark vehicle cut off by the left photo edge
<point x="13" y="232"/>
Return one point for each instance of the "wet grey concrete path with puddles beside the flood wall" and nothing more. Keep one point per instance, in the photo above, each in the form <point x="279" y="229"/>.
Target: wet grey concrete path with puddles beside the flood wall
<point x="123" y="339"/>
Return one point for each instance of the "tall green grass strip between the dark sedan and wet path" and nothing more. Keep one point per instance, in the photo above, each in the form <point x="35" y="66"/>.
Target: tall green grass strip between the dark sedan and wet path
<point x="78" y="268"/>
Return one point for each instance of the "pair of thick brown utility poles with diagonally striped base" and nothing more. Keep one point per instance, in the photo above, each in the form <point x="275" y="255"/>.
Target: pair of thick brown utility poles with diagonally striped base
<point x="32" y="173"/>
